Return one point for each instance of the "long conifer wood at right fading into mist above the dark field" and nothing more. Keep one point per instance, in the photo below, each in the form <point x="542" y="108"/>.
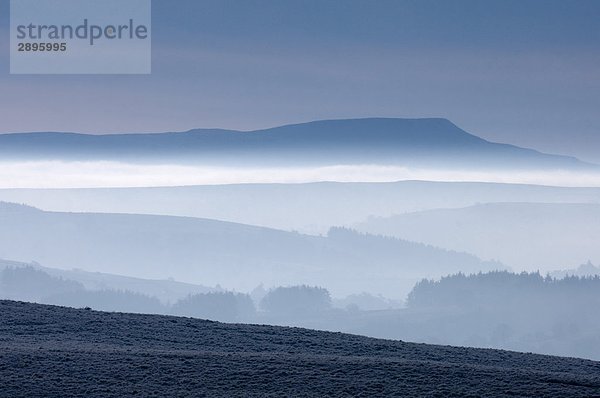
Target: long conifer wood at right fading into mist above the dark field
<point x="517" y="311"/>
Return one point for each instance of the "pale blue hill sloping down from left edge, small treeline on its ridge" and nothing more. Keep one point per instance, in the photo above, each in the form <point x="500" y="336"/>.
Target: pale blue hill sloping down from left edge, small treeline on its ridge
<point x="211" y="252"/>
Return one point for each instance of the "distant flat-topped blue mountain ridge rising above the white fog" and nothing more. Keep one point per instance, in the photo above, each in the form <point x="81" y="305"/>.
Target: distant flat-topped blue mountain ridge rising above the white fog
<point x="432" y="142"/>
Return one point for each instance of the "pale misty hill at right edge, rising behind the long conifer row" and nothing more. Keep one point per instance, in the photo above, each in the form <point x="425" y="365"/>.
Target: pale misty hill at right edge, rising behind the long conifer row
<point x="532" y="236"/>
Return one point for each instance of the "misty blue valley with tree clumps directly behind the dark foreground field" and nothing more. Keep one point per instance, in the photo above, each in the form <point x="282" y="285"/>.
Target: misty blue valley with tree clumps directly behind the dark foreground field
<point x="518" y="311"/>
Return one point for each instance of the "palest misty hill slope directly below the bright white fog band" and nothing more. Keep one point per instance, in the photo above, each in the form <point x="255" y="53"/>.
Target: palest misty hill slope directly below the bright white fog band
<point x="312" y="208"/>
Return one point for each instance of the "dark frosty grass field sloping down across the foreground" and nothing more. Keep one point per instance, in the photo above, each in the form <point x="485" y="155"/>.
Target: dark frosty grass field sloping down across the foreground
<point x="50" y="351"/>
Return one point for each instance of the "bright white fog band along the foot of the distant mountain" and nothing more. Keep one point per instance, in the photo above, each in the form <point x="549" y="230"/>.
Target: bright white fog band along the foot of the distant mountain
<point x="89" y="174"/>
